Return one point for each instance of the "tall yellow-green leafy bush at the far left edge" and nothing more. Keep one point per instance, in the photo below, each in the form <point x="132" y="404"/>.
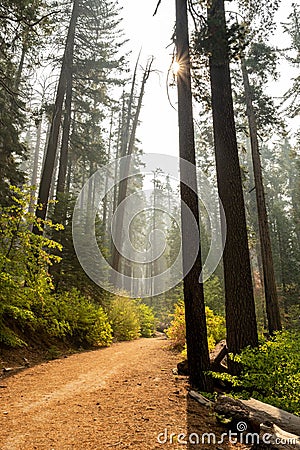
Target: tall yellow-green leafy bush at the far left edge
<point x="24" y="261"/>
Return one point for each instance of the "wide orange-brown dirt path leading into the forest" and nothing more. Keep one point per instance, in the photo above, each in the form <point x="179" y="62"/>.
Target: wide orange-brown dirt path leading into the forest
<point x="119" y="397"/>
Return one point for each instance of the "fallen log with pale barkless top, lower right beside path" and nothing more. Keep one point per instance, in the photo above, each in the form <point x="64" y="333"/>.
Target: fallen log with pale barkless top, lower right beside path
<point x="254" y="413"/>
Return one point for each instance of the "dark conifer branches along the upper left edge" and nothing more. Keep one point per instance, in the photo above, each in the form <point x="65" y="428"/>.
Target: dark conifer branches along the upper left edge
<point x="22" y="36"/>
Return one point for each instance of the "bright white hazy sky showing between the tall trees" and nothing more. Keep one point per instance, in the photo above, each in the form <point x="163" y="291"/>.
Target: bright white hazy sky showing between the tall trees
<point x="158" y="131"/>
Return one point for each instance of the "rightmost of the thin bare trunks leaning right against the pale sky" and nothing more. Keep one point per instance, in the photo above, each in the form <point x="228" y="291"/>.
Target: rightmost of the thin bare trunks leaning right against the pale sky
<point x="124" y="170"/>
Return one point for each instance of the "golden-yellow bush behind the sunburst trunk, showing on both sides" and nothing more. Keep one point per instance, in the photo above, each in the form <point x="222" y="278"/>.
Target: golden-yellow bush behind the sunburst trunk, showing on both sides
<point x="176" y="332"/>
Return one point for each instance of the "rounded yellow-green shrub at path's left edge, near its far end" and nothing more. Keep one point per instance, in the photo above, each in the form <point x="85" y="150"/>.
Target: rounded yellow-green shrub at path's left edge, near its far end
<point x="124" y="318"/>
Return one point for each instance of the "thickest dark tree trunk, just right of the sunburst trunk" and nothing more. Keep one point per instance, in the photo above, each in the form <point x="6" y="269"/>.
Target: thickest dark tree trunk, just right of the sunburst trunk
<point x="239" y="301"/>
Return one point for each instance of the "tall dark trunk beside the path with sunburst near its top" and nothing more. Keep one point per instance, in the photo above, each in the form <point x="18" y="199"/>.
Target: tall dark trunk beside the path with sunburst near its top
<point x="196" y="331"/>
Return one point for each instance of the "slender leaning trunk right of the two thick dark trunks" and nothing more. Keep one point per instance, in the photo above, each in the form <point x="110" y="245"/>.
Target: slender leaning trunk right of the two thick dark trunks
<point x="272" y="306"/>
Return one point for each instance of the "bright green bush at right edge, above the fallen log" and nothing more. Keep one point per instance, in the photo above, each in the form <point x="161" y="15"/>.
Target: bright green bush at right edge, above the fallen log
<point x="270" y="373"/>
